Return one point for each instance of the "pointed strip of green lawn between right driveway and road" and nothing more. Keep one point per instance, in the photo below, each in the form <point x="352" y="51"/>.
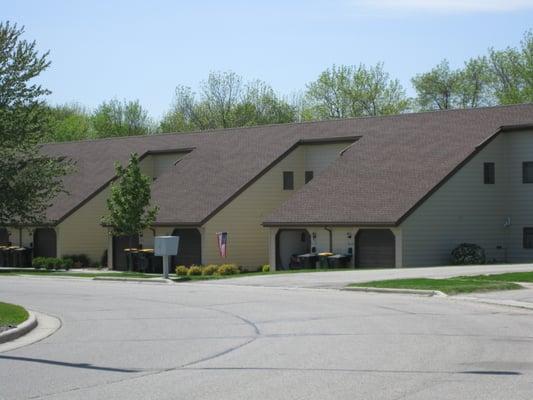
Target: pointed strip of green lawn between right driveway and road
<point x="449" y="286"/>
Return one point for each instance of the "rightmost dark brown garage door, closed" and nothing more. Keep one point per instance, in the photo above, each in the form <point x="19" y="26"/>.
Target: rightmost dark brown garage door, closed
<point x="375" y="248"/>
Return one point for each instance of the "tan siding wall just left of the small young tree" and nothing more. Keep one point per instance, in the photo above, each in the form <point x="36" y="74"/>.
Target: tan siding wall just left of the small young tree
<point x="81" y="232"/>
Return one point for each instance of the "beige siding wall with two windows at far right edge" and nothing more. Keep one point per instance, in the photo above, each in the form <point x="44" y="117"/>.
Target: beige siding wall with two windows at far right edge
<point x="519" y="196"/>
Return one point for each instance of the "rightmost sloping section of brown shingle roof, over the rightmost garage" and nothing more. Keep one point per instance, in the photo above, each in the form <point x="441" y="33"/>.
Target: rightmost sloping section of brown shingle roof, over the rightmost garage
<point x="397" y="162"/>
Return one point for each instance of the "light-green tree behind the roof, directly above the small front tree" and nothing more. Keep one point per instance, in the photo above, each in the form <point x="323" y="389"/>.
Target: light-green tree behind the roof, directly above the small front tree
<point x="121" y="118"/>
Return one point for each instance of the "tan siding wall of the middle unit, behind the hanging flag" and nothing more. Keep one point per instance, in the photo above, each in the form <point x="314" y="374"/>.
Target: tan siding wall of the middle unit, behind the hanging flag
<point x="242" y="218"/>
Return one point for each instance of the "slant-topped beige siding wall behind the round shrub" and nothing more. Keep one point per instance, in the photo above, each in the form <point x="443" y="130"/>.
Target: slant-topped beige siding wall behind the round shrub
<point x="464" y="209"/>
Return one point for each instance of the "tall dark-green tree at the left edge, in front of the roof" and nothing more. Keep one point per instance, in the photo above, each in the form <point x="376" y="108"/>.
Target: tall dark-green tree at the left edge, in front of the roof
<point x="29" y="178"/>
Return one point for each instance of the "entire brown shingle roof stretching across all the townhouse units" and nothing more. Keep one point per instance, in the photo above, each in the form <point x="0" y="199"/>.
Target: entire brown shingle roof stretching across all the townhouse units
<point x="396" y="162"/>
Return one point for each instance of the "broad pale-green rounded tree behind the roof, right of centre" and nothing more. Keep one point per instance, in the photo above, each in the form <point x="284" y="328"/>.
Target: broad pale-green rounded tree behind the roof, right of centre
<point x="354" y="91"/>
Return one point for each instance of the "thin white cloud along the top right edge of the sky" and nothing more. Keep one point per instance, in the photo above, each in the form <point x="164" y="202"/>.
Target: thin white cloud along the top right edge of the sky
<point x="449" y="5"/>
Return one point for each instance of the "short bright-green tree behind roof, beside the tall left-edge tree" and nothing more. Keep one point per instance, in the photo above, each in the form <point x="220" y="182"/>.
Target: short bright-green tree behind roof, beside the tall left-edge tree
<point x="69" y="122"/>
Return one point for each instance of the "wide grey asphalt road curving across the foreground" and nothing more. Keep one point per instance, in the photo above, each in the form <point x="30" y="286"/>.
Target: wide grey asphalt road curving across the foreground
<point x="193" y="341"/>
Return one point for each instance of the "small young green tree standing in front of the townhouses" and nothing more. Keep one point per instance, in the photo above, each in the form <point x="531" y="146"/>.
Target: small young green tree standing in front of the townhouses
<point x="129" y="203"/>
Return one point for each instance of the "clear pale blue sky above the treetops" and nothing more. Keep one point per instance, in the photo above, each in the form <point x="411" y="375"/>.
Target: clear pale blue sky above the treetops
<point x="143" y="49"/>
